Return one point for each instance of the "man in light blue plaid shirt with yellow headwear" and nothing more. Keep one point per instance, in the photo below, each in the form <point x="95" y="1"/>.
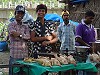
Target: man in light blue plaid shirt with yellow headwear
<point x="66" y="34"/>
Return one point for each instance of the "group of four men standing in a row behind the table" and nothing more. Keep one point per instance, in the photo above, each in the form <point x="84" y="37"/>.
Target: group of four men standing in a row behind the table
<point x="26" y="35"/>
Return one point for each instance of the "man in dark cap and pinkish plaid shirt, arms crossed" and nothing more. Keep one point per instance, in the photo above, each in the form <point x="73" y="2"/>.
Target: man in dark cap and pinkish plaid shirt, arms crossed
<point x="18" y="36"/>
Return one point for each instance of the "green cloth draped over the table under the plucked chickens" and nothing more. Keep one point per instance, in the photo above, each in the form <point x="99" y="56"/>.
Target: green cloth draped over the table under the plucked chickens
<point x="36" y="69"/>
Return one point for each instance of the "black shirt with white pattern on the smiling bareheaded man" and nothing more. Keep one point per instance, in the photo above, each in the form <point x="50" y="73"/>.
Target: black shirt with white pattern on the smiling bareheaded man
<point x="41" y="30"/>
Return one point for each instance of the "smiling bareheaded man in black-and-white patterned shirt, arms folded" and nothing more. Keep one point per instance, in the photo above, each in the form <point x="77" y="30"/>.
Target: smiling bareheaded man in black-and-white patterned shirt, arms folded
<point x="42" y="32"/>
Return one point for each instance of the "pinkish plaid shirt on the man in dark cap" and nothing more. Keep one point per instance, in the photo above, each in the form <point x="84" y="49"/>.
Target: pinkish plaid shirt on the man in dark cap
<point x="18" y="47"/>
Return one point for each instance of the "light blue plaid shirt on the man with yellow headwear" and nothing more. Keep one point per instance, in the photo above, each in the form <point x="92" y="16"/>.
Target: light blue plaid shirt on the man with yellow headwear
<point x="66" y="35"/>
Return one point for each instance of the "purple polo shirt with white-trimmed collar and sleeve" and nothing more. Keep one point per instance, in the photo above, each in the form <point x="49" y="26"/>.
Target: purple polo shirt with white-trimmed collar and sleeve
<point x="86" y="33"/>
